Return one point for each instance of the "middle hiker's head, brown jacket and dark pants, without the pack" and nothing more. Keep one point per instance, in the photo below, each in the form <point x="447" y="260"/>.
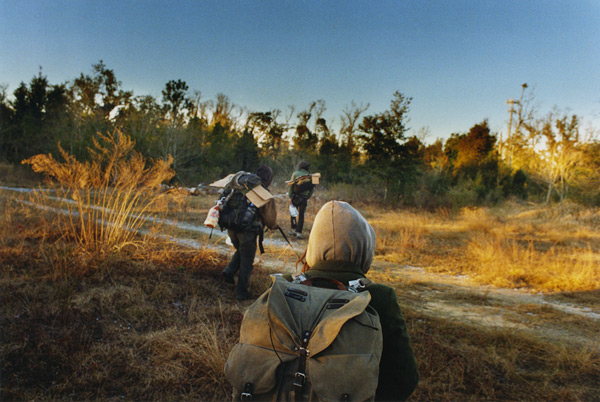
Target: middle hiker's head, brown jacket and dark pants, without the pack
<point x="244" y="237"/>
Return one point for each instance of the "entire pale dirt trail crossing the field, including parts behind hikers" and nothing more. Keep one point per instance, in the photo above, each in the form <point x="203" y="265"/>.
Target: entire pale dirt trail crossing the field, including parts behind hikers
<point x="450" y="297"/>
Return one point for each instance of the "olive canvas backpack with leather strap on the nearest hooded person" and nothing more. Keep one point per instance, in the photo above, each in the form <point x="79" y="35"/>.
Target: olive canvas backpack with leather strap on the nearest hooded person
<point x="302" y="342"/>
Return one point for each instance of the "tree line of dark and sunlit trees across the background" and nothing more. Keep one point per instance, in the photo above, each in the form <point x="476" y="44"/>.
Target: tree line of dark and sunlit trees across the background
<point x="545" y="157"/>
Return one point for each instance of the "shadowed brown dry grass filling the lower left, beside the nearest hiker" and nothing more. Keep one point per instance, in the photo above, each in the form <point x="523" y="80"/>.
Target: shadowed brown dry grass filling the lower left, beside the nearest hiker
<point x="144" y="323"/>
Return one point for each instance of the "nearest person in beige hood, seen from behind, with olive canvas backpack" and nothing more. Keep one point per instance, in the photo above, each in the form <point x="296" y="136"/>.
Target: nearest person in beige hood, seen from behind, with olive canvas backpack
<point x="357" y="348"/>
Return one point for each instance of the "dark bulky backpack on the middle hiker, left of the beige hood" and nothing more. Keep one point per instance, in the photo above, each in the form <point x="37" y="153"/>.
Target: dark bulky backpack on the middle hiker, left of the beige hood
<point x="236" y="211"/>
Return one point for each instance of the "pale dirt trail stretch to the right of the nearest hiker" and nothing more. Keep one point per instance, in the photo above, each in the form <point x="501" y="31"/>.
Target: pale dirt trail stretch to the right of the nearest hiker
<point x="460" y="298"/>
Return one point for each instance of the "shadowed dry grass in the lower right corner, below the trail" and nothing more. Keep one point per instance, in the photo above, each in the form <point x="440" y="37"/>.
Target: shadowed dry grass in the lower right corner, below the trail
<point x="460" y="362"/>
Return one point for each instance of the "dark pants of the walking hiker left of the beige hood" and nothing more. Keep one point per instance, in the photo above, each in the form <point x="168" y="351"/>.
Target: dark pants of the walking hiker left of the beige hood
<point x="242" y="260"/>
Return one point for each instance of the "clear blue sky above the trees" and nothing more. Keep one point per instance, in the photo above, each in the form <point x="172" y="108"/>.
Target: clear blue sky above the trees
<point x="459" y="61"/>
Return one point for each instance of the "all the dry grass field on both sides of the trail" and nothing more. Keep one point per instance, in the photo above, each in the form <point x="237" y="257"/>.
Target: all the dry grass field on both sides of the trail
<point x="155" y="322"/>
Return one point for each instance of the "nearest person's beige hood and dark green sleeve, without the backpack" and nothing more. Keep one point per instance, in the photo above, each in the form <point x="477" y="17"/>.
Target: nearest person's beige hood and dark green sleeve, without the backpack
<point x="341" y="246"/>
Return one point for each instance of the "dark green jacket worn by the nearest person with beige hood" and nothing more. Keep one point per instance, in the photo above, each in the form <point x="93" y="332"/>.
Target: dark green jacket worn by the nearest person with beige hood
<point x="398" y="375"/>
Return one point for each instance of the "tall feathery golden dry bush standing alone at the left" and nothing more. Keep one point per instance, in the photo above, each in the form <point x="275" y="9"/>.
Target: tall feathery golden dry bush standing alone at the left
<point x="109" y="197"/>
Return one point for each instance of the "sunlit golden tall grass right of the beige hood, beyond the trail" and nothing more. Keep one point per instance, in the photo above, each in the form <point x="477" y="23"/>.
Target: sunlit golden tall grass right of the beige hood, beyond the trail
<point x="547" y="248"/>
